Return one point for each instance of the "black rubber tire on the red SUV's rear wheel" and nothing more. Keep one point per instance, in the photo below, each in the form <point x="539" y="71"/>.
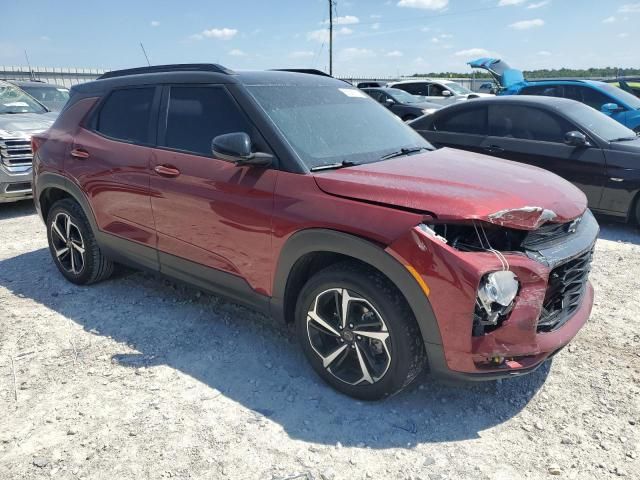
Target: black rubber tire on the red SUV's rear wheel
<point x="94" y="267"/>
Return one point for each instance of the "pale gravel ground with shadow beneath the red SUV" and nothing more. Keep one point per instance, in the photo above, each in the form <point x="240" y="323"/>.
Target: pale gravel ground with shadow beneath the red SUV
<point x="138" y="378"/>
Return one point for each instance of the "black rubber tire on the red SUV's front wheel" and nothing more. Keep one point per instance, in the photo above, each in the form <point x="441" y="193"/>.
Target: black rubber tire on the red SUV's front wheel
<point x="404" y="344"/>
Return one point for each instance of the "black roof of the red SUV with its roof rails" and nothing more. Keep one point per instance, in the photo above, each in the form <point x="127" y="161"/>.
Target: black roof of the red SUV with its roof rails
<point x="202" y="73"/>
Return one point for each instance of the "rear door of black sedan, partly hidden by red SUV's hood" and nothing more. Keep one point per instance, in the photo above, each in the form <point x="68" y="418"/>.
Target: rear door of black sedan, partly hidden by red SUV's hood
<point x="463" y="127"/>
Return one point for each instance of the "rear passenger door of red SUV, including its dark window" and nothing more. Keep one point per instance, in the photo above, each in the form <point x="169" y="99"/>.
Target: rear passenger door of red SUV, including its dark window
<point x="110" y="161"/>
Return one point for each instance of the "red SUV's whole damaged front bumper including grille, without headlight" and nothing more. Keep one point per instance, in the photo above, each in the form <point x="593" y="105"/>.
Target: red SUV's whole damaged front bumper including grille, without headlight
<point x="553" y="302"/>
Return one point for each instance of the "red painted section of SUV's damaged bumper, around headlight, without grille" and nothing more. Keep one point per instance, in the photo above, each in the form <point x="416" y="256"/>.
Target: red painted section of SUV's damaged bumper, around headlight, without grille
<point x="453" y="278"/>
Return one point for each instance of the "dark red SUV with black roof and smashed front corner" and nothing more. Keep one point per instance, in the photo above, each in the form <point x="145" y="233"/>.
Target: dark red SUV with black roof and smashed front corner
<point x="300" y="196"/>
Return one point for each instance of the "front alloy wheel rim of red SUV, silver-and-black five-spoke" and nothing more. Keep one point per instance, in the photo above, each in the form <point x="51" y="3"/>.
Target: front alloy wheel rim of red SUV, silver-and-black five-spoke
<point x="350" y="336"/>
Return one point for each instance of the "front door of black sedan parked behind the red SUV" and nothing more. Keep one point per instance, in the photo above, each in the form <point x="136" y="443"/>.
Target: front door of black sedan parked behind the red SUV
<point x="535" y="136"/>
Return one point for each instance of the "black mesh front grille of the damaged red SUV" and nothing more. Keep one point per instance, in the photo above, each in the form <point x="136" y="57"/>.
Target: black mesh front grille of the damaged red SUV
<point x="567" y="284"/>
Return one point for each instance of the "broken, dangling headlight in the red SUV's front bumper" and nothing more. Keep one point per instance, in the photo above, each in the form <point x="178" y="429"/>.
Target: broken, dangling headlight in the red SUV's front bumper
<point x="495" y="299"/>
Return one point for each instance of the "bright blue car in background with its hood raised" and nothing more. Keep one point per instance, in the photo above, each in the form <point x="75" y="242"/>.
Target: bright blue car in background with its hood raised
<point x="610" y="100"/>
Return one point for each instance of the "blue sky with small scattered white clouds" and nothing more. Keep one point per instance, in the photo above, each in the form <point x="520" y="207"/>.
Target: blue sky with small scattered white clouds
<point x="373" y="37"/>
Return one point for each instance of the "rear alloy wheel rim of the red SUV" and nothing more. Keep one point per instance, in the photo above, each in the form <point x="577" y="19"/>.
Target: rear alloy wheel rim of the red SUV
<point x="68" y="244"/>
